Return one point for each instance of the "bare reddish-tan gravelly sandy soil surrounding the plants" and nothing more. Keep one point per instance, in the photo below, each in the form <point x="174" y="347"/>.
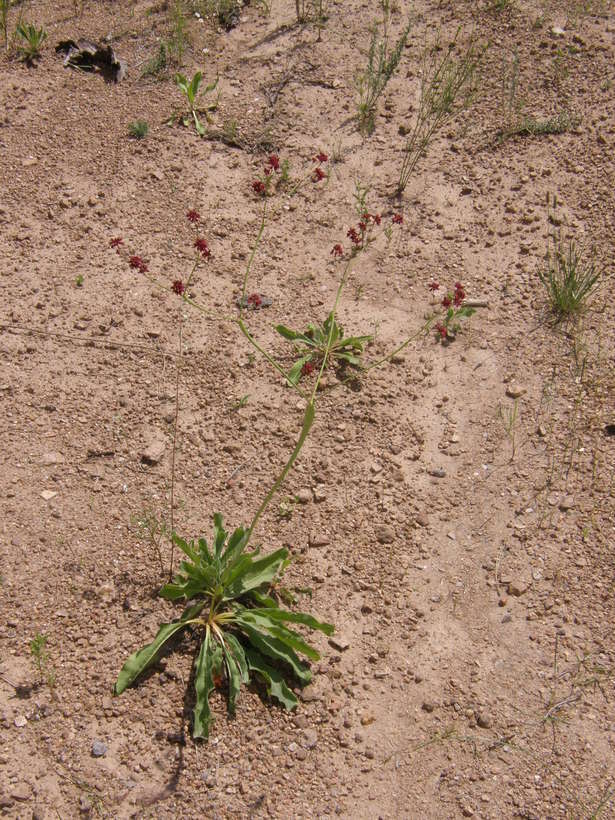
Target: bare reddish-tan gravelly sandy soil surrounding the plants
<point x="459" y="513"/>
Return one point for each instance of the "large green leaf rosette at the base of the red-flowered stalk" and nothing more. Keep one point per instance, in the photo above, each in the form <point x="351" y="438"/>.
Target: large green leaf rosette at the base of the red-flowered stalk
<point x="242" y="629"/>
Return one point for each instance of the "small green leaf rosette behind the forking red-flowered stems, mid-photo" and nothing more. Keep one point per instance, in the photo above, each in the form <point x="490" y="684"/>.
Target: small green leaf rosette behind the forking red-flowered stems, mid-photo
<point x="314" y="343"/>
